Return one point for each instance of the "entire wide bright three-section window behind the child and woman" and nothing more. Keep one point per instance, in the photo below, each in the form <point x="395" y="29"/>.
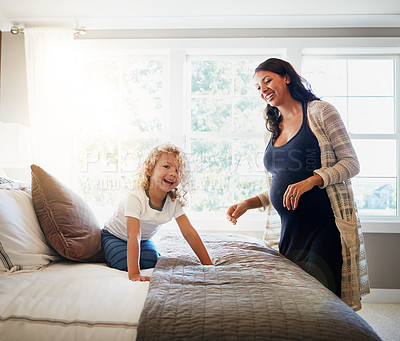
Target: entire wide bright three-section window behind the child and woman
<point x="204" y="100"/>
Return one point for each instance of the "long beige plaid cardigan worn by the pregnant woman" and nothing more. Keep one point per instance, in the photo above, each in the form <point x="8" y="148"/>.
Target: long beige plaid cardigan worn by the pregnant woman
<point x="338" y="164"/>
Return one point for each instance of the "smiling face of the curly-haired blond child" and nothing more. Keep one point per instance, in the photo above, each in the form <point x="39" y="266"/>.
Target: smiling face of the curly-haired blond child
<point x="165" y="175"/>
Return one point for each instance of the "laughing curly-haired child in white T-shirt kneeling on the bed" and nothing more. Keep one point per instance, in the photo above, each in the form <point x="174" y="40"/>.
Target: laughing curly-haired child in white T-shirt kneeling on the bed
<point x="159" y="197"/>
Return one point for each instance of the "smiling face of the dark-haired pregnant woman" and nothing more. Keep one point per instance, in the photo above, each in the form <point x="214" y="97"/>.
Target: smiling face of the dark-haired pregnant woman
<point x="272" y="87"/>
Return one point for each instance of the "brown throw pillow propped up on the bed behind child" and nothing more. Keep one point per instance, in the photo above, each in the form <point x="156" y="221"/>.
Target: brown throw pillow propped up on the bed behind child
<point x="66" y="220"/>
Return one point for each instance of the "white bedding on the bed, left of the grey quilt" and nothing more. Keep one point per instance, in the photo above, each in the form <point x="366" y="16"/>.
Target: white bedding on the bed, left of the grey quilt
<point x="70" y="301"/>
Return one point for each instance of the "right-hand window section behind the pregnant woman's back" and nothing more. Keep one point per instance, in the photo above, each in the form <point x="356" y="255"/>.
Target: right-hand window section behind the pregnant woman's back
<point x="363" y="91"/>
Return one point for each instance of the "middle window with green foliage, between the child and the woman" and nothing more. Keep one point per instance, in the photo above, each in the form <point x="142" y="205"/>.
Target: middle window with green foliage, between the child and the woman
<point x="225" y="133"/>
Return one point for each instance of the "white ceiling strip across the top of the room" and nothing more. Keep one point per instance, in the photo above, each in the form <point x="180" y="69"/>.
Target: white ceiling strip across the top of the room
<point x="181" y="14"/>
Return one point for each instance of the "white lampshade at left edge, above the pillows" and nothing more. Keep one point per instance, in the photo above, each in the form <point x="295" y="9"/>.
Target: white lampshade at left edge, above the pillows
<point x="15" y="146"/>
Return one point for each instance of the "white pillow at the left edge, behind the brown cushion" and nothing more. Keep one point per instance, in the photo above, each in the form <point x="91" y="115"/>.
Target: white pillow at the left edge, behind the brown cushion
<point x="22" y="242"/>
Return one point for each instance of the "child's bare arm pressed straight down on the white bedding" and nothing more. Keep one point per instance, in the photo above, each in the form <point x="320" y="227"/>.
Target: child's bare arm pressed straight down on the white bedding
<point x="133" y="250"/>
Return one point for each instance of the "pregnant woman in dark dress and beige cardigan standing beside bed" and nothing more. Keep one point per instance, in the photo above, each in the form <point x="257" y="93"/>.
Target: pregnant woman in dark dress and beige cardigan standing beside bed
<point x="309" y="160"/>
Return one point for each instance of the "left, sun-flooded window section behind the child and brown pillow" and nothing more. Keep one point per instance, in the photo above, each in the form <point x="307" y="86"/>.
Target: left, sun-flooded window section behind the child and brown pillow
<point x="122" y="115"/>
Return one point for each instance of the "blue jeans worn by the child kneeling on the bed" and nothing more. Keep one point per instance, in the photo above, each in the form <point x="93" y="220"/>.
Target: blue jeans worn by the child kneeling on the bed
<point x="114" y="250"/>
